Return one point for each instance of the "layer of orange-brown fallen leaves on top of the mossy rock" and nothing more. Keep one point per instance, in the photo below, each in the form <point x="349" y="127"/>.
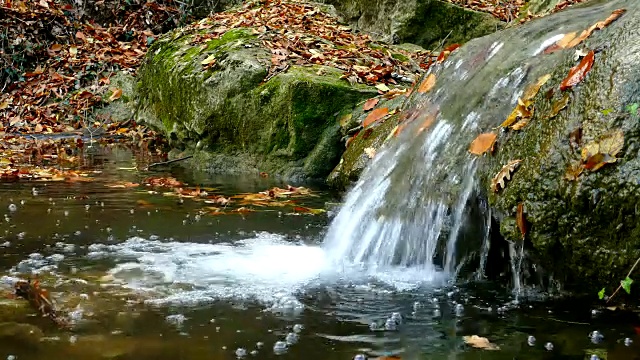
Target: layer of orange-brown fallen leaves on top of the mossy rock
<point x="302" y="34"/>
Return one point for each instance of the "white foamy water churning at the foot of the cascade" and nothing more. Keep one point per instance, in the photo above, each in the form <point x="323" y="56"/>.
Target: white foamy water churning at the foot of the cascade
<point x="266" y="268"/>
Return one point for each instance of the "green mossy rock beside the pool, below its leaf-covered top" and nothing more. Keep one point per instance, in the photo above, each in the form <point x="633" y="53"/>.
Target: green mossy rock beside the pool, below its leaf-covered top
<point x="285" y="126"/>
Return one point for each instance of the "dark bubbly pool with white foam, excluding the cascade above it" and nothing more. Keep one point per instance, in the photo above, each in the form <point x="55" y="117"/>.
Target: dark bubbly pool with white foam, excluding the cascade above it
<point x="144" y="275"/>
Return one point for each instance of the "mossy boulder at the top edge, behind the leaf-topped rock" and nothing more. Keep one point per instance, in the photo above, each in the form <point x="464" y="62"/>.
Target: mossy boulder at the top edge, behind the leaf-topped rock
<point x="422" y="22"/>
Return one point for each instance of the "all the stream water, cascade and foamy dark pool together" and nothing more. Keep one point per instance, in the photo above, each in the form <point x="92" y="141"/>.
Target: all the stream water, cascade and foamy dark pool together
<point x="142" y="274"/>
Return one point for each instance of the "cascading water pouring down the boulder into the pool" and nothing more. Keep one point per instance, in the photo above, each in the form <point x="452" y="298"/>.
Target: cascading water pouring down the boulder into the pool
<point x="415" y="201"/>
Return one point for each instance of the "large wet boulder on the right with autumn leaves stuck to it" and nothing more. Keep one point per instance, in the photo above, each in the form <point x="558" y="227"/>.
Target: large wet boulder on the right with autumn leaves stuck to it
<point x="579" y="176"/>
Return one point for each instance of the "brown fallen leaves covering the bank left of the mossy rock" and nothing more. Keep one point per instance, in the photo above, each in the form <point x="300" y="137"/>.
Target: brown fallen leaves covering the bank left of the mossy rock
<point x="56" y="70"/>
